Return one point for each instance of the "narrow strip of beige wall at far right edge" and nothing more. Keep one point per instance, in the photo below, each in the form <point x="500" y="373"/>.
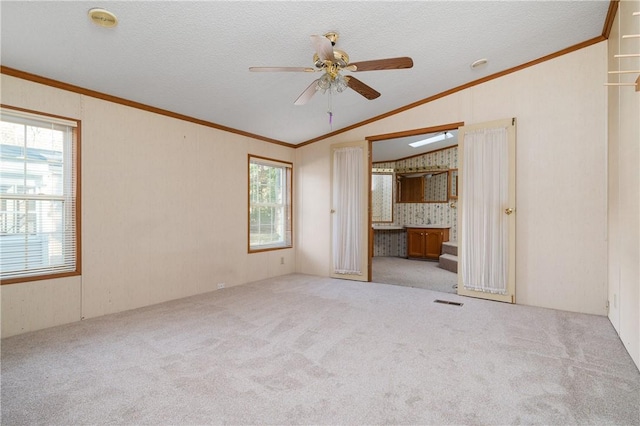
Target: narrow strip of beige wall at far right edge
<point x="624" y="183"/>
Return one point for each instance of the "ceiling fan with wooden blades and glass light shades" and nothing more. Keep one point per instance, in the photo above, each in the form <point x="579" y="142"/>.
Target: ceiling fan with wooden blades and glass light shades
<point x="332" y="62"/>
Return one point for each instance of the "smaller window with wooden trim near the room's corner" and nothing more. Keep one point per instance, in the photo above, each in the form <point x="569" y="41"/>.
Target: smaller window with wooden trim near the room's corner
<point x="269" y="204"/>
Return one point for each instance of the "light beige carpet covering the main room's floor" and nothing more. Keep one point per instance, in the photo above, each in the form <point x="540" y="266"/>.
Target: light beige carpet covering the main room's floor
<point x="307" y="350"/>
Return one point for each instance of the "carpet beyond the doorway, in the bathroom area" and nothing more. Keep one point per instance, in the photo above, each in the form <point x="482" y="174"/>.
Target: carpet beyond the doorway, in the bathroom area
<point x="413" y="273"/>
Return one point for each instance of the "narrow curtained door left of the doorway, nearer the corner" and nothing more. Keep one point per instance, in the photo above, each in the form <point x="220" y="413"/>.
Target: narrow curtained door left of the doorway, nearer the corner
<point x="350" y="171"/>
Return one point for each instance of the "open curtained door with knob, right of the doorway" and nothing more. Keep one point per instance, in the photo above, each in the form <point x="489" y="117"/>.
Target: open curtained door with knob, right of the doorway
<point x="486" y="215"/>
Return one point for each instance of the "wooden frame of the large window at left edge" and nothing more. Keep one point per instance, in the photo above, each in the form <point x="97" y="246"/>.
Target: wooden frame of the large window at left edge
<point x="75" y="143"/>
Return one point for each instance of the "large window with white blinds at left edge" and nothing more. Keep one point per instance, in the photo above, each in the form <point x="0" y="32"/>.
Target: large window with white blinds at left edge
<point x="39" y="200"/>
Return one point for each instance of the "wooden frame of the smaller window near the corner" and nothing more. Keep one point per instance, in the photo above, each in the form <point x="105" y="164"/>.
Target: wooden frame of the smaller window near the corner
<point x="288" y="166"/>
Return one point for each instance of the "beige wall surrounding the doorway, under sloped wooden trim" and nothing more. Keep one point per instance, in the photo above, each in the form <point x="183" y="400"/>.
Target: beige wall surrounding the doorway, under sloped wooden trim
<point x="560" y="106"/>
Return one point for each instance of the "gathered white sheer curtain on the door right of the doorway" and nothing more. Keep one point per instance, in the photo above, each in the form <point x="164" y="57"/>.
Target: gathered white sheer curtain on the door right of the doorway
<point x="485" y="174"/>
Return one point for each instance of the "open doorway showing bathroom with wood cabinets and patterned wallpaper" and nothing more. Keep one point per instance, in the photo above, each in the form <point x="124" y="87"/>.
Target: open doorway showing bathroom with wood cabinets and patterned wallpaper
<point x="409" y="160"/>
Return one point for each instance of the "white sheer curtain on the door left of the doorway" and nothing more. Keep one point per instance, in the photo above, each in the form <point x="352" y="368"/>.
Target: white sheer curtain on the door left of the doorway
<point x="347" y="195"/>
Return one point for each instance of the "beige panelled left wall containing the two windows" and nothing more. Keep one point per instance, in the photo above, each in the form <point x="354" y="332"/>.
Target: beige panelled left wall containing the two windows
<point x="164" y="212"/>
